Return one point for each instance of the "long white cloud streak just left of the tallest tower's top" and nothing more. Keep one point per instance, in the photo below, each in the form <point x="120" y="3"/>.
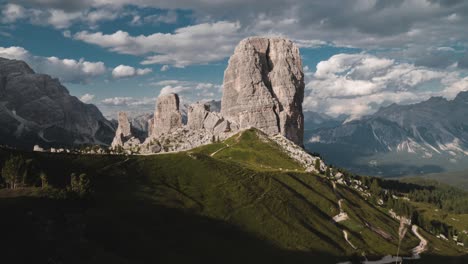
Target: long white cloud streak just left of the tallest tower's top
<point x="198" y="44"/>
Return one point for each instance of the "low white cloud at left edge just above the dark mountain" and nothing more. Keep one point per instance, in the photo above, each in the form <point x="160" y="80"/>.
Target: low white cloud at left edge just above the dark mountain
<point x="67" y="70"/>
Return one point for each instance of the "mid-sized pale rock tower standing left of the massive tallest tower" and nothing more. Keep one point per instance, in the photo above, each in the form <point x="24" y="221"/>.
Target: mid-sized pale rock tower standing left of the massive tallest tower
<point x="167" y="117"/>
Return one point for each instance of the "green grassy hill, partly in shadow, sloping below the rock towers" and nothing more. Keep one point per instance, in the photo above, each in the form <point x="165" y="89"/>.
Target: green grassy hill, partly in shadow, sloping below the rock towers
<point x="241" y="200"/>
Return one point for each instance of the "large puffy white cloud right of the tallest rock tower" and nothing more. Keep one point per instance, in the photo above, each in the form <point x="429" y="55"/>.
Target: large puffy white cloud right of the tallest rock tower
<point x="358" y="84"/>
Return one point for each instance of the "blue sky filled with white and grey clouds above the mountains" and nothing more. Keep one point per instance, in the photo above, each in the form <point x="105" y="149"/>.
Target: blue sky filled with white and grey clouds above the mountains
<point x="358" y="55"/>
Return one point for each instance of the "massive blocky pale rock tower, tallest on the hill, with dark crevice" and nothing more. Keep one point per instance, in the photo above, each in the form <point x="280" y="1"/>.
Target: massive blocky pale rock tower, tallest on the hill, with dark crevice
<point x="264" y="87"/>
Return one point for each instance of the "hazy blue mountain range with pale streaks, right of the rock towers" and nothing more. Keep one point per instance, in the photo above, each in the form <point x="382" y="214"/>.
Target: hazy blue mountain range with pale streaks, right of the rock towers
<point x="431" y="136"/>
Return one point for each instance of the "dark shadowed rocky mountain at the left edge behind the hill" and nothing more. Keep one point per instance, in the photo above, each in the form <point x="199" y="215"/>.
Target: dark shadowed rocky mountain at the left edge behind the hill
<point x="37" y="109"/>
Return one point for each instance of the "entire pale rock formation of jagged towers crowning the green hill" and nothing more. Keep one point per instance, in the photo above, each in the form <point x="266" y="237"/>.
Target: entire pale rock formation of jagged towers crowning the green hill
<point x="263" y="88"/>
